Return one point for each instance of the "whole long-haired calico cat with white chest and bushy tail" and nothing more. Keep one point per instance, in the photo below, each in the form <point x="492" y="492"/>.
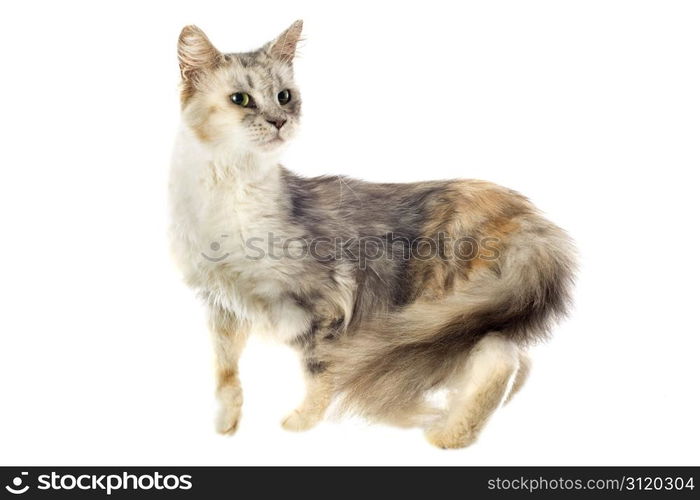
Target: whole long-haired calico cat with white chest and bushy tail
<point x="389" y="292"/>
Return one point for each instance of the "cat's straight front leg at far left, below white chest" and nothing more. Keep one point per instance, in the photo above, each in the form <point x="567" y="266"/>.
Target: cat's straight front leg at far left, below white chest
<point x="229" y="339"/>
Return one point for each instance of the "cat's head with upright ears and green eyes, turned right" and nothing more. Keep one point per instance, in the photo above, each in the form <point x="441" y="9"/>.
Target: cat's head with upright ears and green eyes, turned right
<point x="244" y="101"/>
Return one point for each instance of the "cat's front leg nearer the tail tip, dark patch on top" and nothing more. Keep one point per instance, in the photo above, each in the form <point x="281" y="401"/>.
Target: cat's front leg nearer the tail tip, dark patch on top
<point x="319" y="392"/>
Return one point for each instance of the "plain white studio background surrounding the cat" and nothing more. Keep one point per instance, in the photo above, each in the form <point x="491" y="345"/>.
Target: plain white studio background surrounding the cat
<point x="591" y="108"/>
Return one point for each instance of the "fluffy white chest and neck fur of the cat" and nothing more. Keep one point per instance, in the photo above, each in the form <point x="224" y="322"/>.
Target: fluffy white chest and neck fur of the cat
<point x="225" y="210"/>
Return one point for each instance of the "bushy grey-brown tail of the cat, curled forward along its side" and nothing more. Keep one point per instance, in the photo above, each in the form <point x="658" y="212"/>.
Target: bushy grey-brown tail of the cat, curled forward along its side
<point x="385" y="368"/>
